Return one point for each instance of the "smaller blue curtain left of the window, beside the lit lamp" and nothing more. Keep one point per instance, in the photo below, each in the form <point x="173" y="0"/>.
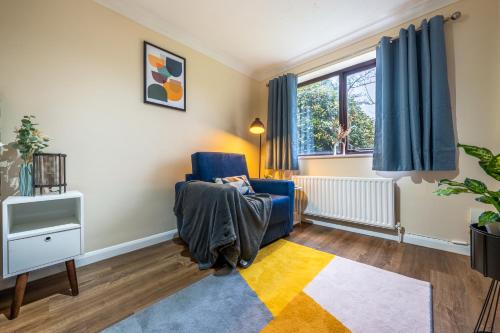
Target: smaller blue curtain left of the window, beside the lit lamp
<point x="282" y="124"/>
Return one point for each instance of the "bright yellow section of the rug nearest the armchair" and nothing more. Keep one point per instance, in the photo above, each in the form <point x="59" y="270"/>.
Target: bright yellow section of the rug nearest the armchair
<point x="281" y="270"/>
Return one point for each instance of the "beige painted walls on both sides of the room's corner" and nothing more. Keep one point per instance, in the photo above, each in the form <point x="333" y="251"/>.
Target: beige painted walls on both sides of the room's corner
<point x="78" y="67"/>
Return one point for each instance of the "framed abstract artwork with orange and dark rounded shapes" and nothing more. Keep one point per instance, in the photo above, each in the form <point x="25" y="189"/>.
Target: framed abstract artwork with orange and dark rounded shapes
<point x="164" y="78"/>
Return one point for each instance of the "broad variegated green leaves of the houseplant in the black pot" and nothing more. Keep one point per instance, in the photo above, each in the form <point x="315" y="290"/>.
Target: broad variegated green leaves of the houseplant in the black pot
<point x="490" y="163"/>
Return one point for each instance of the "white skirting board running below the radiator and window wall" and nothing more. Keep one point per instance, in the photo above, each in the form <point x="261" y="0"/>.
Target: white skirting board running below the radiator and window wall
<point x="408" y="238"/>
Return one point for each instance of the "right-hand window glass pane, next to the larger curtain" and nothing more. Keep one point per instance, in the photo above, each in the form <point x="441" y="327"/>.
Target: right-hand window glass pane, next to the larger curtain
<point x="360" y="88"/>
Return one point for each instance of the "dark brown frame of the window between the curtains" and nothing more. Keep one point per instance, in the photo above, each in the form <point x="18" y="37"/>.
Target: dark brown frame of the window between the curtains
<point x="343" y="118"/>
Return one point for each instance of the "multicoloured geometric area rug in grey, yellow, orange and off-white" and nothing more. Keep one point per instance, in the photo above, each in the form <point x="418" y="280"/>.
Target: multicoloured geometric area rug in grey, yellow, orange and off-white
<point x="292" y="288"/>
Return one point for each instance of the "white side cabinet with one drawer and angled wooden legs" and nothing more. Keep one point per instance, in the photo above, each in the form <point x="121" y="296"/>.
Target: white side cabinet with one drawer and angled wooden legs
<point x="41" y="231"/>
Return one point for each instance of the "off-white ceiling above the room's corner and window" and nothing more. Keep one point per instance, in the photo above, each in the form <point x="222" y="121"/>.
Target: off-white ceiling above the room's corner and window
<point x="262" y="38"/>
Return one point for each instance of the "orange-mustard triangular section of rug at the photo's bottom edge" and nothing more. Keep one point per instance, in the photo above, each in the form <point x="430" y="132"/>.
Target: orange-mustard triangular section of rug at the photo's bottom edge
<point x="304" y="315"/>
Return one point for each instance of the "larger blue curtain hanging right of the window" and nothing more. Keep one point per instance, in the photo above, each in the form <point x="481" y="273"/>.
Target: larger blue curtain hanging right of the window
<point x="413" y="120"/>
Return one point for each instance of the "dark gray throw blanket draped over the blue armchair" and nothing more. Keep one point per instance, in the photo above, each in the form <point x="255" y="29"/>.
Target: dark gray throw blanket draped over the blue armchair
<point x="217" y="220"/>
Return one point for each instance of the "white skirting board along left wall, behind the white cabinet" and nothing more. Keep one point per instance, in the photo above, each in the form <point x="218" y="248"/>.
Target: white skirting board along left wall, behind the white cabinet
<point x="97" y="255"/>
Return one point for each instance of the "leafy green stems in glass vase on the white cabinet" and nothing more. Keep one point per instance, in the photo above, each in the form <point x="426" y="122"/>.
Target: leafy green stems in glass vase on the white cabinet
<point x="29" y="141"/>
